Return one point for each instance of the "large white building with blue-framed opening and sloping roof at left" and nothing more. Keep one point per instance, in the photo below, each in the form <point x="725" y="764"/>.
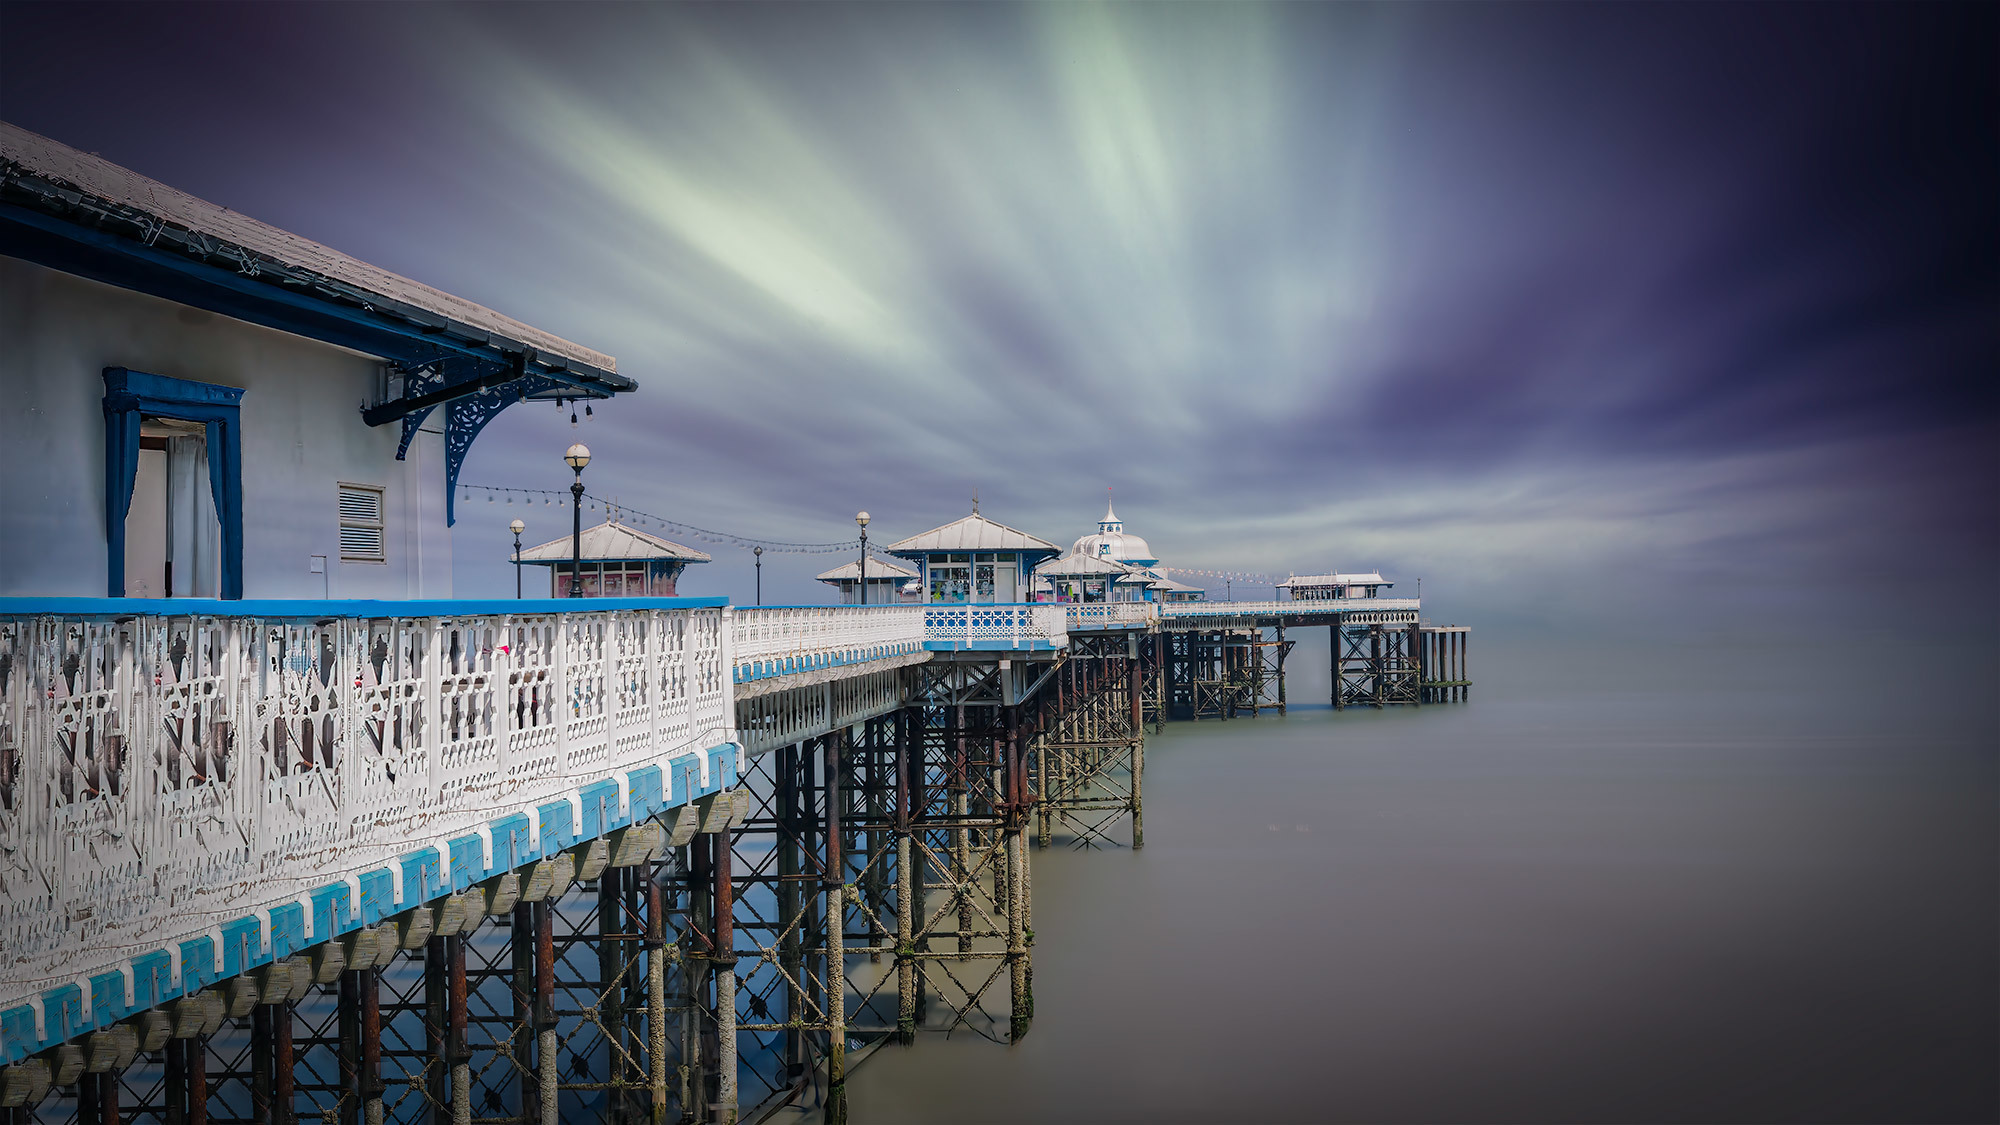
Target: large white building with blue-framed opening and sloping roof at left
<point x="205" y="405"/>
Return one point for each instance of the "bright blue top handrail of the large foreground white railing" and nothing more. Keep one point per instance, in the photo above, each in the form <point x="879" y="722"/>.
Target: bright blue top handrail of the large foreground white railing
<point x="329" y="610"/>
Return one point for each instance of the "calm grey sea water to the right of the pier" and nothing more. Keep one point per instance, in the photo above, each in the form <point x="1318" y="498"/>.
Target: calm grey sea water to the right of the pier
<point x="1765" y="902"/>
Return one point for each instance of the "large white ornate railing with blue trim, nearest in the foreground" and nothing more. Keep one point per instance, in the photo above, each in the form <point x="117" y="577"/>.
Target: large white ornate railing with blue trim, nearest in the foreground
<point x="191" y="788"/>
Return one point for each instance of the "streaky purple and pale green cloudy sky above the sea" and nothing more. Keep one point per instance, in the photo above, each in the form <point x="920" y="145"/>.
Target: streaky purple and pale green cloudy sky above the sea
<point x="1571" y="311"/>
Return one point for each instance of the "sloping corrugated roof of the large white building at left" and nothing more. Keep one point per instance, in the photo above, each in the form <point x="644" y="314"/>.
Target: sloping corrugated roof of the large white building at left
<point x="95" y="177"/>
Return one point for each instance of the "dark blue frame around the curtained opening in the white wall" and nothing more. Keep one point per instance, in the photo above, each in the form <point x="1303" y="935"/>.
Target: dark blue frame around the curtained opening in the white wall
<point x="129" y="399"/>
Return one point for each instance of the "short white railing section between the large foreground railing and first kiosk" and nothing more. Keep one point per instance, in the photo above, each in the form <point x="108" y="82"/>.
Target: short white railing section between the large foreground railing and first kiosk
<point x="777" y="642"/>
